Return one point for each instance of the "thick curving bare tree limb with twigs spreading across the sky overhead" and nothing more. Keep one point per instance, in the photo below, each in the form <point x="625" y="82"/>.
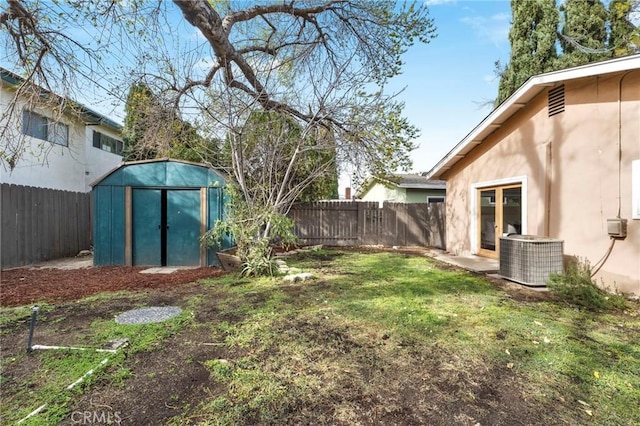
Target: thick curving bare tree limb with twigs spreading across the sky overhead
<point x="359" y="41"/>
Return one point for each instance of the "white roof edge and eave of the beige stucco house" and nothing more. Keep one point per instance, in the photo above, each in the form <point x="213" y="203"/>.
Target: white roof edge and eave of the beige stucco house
<point x="519" y="99"/>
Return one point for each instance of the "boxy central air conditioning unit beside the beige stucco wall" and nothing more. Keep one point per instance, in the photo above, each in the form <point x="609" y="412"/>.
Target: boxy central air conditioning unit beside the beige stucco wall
<point x="529" y="259"/>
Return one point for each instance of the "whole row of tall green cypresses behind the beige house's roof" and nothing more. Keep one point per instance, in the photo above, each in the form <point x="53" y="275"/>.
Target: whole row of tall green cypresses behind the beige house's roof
<point x="588" y="33"/>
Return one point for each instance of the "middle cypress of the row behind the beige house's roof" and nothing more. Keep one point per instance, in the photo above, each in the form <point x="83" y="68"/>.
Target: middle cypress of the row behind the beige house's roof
<point x="584" y="32"/>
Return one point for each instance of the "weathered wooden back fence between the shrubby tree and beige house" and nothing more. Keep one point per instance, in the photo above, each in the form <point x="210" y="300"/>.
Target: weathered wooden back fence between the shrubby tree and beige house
<point x="352" y="223"/>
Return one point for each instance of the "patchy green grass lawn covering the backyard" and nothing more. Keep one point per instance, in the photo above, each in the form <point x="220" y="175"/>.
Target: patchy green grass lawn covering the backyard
<point x="368" y="328"/>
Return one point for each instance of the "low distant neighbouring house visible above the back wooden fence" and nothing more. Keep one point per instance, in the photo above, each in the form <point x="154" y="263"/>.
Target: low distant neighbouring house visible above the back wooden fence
<point x="403" y="188"/>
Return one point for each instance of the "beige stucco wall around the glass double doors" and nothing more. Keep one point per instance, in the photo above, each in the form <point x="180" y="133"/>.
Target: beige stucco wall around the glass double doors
<point x="573" y="180"/>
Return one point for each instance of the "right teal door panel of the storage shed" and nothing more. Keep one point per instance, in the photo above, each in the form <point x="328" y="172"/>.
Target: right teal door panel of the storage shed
<point x="183" y="227"/>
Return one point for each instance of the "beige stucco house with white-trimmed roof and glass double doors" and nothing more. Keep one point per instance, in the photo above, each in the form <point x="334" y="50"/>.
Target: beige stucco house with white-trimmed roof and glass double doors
<point x="559" y="158"/>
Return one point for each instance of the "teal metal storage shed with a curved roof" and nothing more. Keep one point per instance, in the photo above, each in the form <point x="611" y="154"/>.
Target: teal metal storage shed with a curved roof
<point x="154" y="213"/>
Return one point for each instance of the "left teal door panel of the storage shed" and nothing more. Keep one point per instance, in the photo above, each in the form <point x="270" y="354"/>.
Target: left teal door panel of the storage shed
<point x="147" y="225"/>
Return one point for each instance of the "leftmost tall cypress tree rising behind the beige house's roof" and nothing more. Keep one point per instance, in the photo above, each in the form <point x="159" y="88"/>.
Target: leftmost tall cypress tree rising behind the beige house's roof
<point x="533" y="44"/>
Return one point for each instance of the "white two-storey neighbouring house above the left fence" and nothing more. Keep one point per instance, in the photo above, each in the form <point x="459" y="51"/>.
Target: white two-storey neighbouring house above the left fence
<point x="66" y="153"/>
